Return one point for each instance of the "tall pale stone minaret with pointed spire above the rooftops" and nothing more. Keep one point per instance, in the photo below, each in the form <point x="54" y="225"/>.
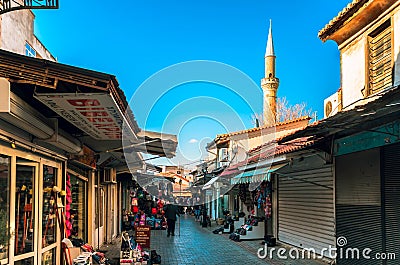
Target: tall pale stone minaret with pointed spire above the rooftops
<point x="269" y="83"/>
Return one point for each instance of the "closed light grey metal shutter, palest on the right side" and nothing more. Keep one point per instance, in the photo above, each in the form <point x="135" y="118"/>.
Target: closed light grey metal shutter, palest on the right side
<point x="306" y="209"/>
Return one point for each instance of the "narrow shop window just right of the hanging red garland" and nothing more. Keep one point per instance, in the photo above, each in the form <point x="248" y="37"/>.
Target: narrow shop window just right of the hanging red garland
<point x="78" y="207"/>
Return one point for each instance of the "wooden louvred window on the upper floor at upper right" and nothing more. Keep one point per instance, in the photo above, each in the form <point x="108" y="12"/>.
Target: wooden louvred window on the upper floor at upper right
<point x="380" y="58"/>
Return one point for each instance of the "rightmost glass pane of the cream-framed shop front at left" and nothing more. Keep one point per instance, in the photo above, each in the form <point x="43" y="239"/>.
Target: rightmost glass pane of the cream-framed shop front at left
<point x="49" y="217"/>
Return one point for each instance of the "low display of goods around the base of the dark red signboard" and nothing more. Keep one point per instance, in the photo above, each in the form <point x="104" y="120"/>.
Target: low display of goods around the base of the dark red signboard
<point x="132" y="253"/>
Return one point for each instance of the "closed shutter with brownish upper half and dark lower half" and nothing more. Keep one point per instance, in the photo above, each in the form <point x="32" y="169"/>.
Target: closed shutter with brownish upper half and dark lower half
<point x="358" y="205"/>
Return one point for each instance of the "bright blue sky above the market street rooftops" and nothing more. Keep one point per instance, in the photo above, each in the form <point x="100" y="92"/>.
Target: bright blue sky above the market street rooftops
<point x="136" y="39"/>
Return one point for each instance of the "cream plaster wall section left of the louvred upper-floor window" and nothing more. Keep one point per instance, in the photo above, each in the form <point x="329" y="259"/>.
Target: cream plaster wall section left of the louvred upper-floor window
<point x="353" y="71"/>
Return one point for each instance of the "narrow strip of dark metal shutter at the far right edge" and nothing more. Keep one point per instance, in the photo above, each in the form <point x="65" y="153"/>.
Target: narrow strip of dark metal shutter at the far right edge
<point x="391" y="172"/>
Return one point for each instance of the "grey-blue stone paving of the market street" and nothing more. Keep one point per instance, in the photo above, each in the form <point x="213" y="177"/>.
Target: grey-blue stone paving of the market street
<point x="193" y="244"/>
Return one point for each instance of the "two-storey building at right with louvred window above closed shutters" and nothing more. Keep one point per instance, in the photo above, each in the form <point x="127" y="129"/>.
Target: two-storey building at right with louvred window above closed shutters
<point x="359" y="138"/>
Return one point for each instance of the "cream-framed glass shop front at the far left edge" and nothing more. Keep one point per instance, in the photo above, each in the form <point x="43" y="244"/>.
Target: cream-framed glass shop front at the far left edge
<point x="29" y="205"/>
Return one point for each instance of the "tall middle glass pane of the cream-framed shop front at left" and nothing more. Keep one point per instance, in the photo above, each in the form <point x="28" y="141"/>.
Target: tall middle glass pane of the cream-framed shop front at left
<point x="24" y="207"/>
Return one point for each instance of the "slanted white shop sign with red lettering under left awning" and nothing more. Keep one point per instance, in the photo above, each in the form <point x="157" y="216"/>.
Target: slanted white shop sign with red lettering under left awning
<point x="96" y="114"/>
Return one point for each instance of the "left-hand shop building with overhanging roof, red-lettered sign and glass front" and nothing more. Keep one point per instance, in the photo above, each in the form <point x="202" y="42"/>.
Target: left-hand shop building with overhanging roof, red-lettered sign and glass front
<point x="51" y="136"/>
